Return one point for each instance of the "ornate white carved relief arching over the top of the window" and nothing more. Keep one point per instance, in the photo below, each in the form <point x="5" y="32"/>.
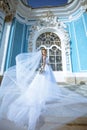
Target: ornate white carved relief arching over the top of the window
<point x="48" y="22"/>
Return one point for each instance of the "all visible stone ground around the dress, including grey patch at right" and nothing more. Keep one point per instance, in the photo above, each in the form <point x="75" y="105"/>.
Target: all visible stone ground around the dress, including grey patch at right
<point x="51" y="123"/>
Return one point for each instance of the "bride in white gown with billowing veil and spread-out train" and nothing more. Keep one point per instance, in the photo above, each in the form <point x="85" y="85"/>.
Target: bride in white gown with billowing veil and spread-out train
<point x="28" y="89"/>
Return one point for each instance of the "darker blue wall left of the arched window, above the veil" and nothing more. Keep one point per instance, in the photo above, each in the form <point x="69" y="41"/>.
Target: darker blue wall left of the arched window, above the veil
<point x="17" y="42"/>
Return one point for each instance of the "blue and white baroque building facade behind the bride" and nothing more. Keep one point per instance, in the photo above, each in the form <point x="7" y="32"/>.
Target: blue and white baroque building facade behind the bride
<point x="61" y="30"/>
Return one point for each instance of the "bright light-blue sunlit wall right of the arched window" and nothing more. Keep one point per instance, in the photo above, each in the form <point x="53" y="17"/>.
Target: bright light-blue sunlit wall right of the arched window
<point x="78" y="30"/>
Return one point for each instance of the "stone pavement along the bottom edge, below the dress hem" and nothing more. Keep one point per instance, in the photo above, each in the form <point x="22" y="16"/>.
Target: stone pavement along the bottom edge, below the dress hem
<point x="78" y="124"/>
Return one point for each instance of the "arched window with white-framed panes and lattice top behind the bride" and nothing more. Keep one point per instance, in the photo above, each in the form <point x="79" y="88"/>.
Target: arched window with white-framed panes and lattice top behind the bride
<point x="52" y="43"/>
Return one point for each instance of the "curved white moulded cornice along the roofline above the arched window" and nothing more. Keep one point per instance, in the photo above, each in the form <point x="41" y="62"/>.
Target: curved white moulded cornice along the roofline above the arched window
<point x="73" y="8"/>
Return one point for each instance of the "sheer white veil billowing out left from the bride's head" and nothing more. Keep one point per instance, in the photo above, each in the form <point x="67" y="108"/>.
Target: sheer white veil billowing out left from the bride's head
<point x="21" y="73"/>
